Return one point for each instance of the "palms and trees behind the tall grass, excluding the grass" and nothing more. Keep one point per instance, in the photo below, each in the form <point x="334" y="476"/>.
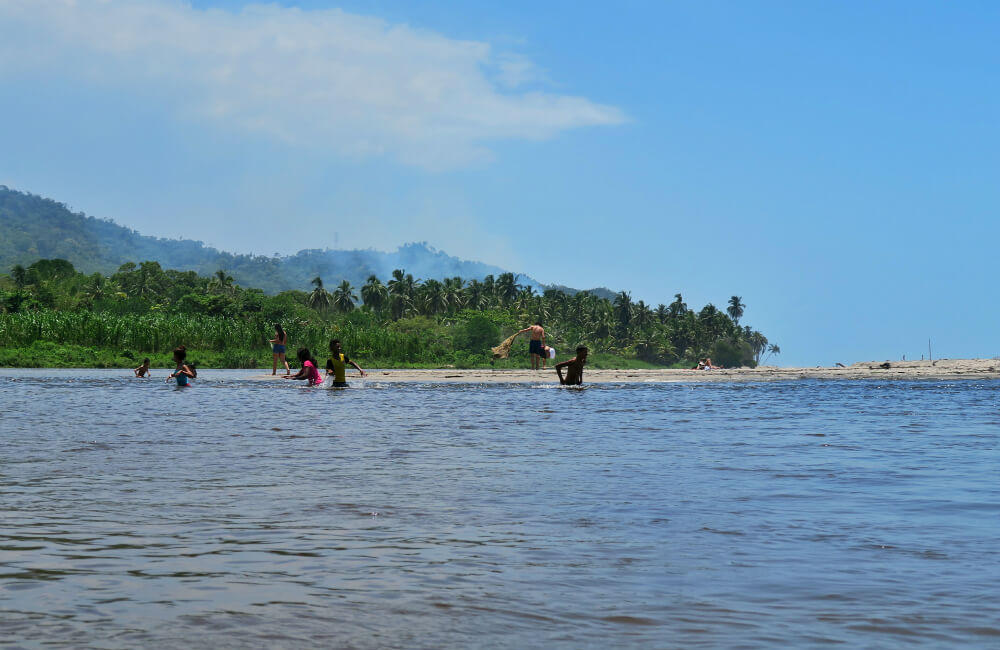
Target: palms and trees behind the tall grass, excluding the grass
<point x="469" y="315"/>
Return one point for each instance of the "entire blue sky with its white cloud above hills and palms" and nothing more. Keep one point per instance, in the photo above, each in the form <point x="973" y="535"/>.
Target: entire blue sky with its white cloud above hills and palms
<point x="835" y="165"/>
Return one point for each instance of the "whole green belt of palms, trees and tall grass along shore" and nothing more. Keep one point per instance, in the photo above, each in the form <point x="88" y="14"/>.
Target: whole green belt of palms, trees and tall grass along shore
<point x="52" y="315"/>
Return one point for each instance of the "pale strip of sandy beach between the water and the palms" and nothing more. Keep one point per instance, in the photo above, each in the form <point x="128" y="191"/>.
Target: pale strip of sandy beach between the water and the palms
<point x="942" y="369"/>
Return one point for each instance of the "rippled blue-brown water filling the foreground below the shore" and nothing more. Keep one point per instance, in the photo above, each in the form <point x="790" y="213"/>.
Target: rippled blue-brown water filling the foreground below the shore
<point x="265" y="514"/>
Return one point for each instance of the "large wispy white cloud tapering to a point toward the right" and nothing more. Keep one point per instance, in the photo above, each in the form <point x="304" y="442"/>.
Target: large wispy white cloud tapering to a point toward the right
<point x="325" y="79"/>
